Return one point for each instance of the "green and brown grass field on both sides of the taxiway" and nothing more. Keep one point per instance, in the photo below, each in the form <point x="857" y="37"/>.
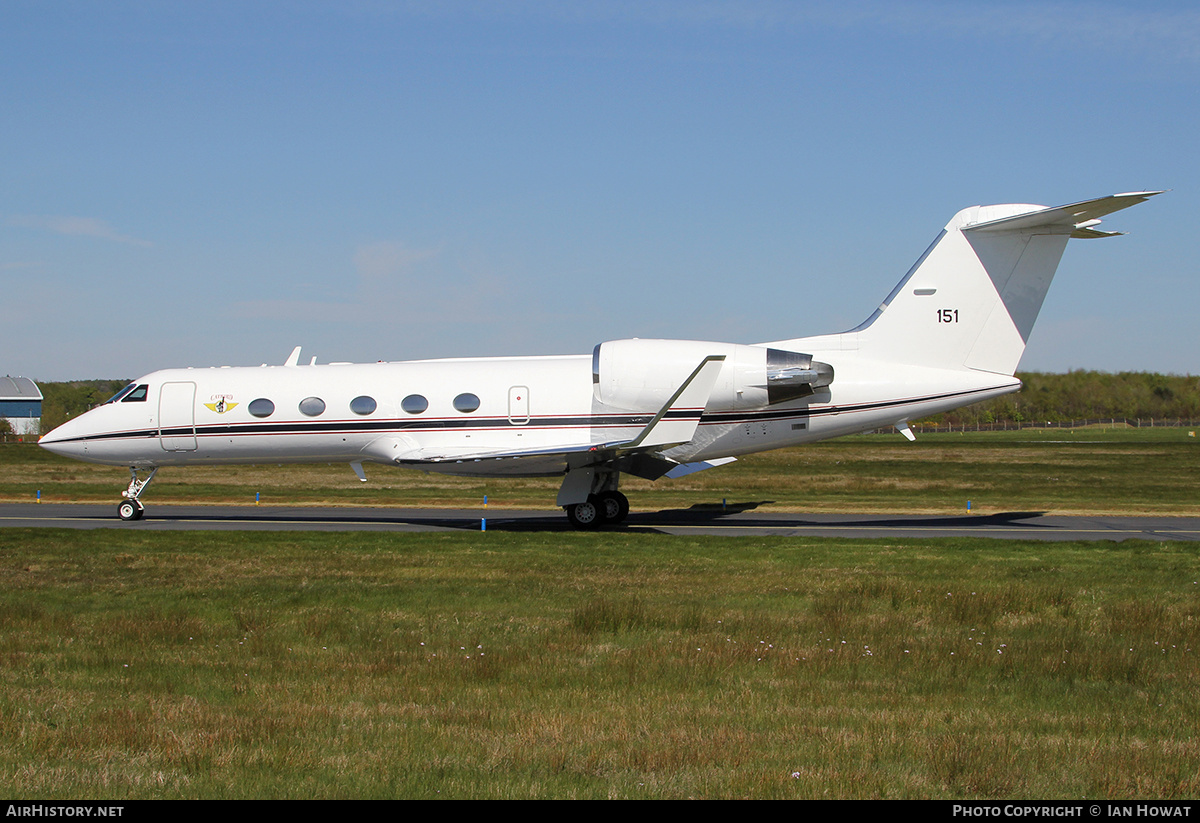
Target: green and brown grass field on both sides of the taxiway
<point x="614" y="665"/>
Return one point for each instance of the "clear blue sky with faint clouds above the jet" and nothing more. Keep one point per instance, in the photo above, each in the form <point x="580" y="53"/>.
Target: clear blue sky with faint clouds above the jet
<point x="213" y="184"/>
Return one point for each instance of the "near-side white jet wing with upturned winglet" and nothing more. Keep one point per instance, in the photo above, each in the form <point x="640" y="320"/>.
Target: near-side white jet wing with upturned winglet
<point x="674" y="425"/>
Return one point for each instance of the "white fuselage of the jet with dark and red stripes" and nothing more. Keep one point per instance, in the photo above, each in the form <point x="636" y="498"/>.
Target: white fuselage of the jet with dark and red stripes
<point x="526" y="405"/>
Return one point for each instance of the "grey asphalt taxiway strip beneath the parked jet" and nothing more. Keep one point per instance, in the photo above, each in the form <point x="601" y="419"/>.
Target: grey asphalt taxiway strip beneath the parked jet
<point x="734" y="520"/>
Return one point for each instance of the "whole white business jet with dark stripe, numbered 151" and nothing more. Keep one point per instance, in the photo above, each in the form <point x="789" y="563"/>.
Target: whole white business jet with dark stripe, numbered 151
<point x="951" y="334"/>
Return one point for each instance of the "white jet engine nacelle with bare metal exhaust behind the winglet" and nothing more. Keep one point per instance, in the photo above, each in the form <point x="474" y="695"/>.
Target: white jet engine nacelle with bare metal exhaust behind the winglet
<point x="643" y="375"/>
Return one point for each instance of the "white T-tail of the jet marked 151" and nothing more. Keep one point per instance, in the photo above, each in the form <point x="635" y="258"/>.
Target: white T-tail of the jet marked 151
<point x="973" y="298"/>
